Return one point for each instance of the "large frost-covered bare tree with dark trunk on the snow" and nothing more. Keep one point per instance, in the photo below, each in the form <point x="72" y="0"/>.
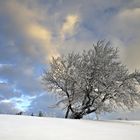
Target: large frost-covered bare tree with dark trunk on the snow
<point x="93" y="81"/>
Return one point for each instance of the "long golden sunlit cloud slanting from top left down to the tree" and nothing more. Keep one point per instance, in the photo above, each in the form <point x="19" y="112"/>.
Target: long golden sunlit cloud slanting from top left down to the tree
<point x="27" y="23"/>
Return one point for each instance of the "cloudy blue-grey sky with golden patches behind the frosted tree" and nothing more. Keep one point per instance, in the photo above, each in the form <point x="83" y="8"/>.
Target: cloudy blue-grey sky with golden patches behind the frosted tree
<point x="32" y="31"/>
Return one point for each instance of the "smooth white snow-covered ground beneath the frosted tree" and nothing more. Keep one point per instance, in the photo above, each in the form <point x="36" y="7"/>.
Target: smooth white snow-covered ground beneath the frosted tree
<point x="35" y="128"/>
